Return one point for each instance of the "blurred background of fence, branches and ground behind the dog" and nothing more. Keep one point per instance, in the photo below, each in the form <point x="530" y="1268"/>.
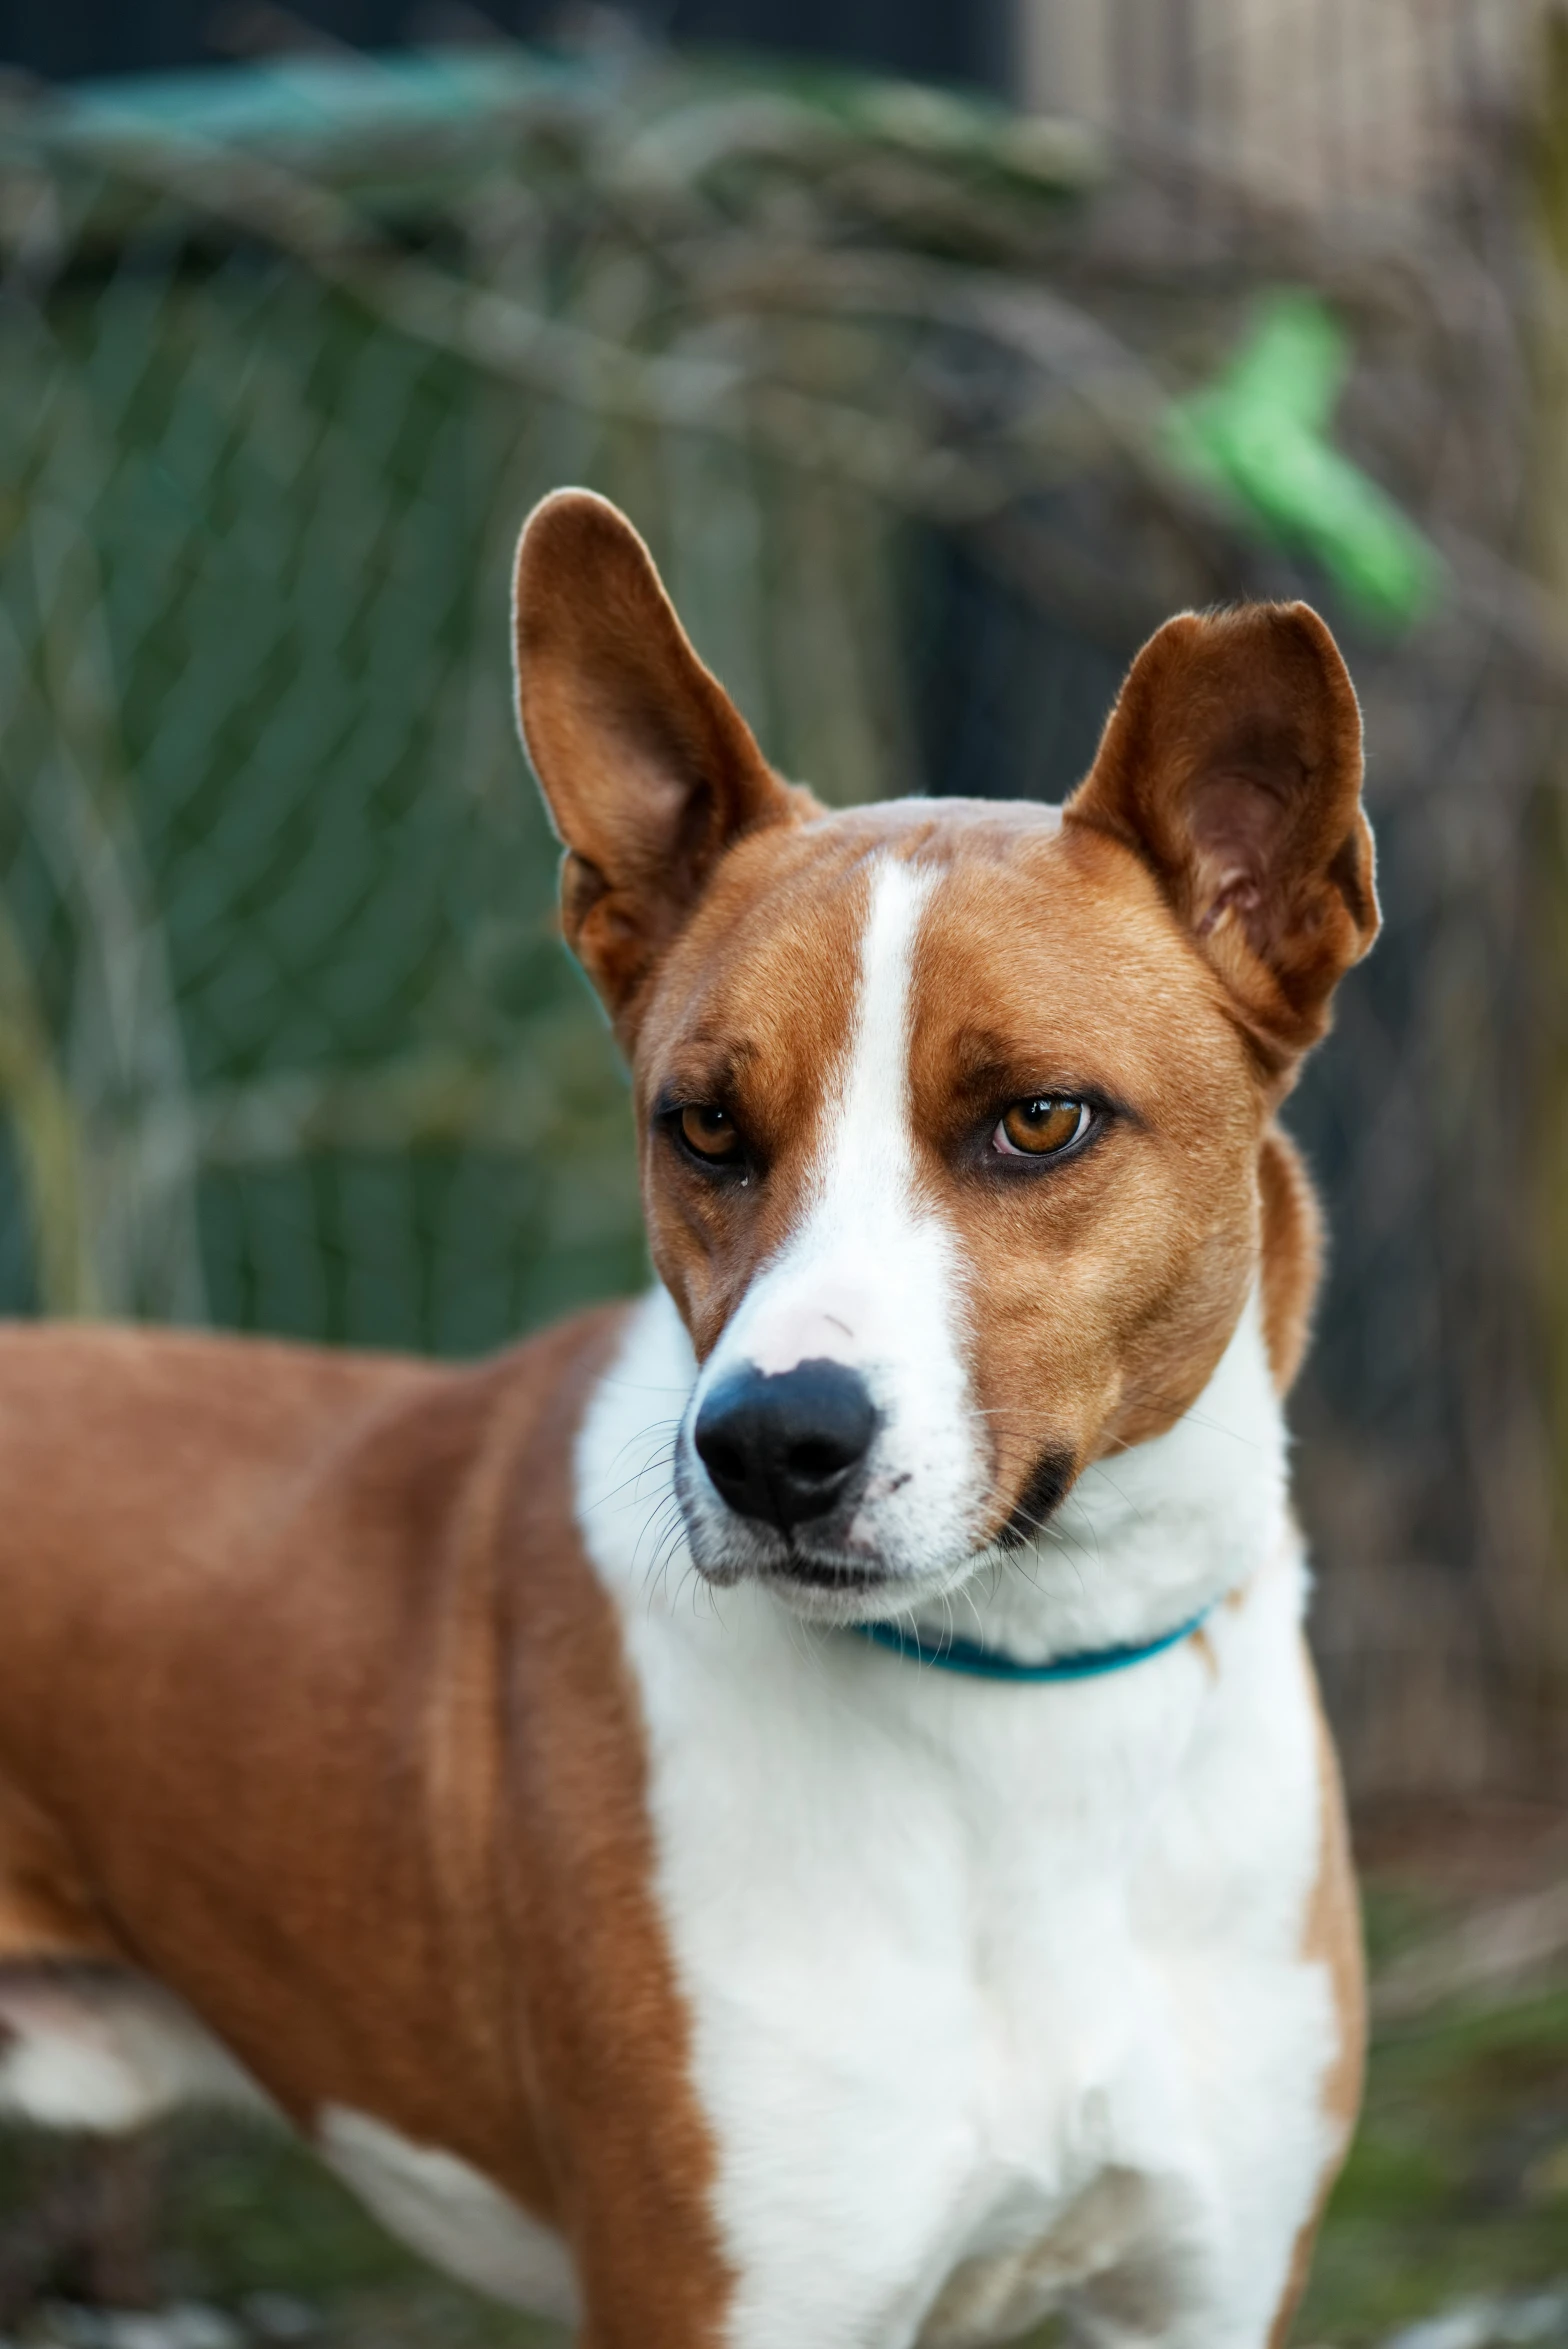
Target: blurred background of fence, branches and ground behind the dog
<point x="940" y="351"/>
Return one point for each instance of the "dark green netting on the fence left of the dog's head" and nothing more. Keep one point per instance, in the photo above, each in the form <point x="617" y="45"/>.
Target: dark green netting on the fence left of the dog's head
<point x="278" y="894"/>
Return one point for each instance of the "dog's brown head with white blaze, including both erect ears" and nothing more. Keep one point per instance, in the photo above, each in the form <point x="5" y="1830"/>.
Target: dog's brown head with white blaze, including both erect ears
<point x="954" y="1117"/>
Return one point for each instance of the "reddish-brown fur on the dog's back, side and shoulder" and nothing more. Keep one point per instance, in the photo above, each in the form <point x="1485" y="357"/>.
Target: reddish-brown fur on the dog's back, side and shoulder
<point x="271" y="1730"/>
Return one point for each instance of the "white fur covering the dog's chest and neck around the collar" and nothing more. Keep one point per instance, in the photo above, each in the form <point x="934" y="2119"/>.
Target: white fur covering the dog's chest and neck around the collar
<point x="999" y="1993"/>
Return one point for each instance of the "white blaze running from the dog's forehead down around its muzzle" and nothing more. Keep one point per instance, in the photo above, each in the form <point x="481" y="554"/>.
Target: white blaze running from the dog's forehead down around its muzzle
<point x="872" y="1274"/>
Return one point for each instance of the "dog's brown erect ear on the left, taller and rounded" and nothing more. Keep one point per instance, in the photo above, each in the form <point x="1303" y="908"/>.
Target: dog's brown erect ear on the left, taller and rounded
<point x="647" y="765"/>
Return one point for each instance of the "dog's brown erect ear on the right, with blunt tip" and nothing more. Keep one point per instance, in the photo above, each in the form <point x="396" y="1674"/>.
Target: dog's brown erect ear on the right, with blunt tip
<point x="1234" y="767"/>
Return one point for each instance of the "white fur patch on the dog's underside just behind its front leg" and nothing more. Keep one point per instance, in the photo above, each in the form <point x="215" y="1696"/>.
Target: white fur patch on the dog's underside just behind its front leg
<point x="450" y="2214"/>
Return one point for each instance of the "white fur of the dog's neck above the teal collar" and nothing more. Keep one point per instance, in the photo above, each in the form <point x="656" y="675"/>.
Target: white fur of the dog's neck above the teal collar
<point x="1144" y="1542"/>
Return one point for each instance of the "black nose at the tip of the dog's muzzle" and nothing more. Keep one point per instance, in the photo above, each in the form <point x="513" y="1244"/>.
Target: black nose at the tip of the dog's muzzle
<point x="785" y="1448"/>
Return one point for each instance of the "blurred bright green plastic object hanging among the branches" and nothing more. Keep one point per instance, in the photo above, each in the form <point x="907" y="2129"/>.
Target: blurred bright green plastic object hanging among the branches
<point x="1262" y="438"/>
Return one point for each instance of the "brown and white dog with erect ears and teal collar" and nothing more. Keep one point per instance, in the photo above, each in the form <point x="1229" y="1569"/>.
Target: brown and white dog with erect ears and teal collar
<point x="482" y="1768"/>
